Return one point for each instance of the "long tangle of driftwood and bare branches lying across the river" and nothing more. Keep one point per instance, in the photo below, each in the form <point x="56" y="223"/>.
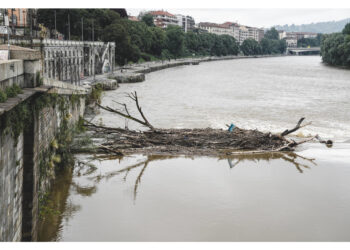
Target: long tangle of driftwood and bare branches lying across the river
<point x="208" y="141"/>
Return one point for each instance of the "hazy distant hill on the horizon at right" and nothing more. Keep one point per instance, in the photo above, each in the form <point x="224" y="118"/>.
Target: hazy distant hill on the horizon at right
<point x="322" y="27"/>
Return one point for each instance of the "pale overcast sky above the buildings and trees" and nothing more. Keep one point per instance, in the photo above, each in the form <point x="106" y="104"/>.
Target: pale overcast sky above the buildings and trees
<point x="259" y="17"/>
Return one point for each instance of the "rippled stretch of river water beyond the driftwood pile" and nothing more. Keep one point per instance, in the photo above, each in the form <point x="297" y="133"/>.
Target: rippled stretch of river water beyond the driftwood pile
<point x="269" y="94"/>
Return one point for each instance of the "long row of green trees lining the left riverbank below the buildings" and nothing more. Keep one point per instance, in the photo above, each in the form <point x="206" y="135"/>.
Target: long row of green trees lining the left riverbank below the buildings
<point x="142" y="41"/>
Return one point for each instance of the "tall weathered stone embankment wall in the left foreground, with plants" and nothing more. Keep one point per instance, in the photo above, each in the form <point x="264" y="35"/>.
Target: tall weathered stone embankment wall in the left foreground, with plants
<point x="26" y="159"/>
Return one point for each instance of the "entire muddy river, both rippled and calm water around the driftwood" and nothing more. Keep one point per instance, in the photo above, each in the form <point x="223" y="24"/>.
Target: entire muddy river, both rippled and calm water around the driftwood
<point x="296" y="197"/>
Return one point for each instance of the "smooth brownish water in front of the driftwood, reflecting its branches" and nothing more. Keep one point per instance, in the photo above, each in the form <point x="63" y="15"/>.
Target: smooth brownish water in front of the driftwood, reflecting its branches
<point x="202" y="198"/>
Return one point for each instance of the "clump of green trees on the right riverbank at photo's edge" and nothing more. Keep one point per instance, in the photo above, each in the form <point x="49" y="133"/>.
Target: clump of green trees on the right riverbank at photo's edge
<point x="335" y="48"/>
